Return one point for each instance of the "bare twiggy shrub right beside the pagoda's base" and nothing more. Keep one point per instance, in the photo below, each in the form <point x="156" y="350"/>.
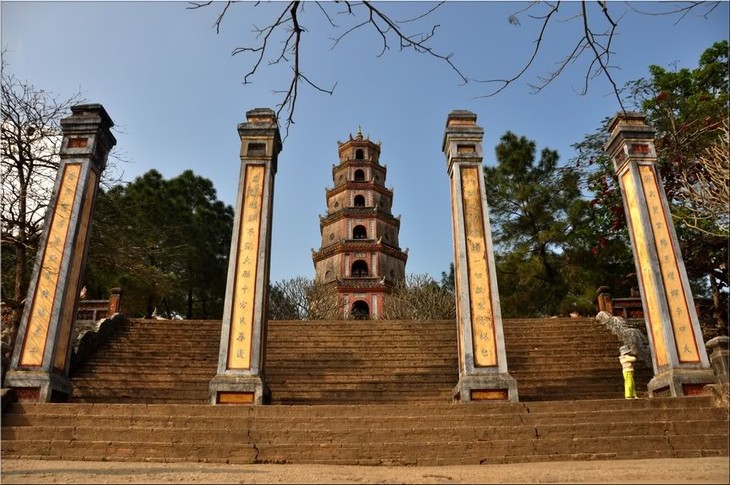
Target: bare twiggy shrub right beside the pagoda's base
<point x="419" y="297"/>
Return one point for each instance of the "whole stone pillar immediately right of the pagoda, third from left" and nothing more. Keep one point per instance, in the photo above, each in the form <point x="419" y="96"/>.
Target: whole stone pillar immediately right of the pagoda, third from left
<point x="482" y="360"/>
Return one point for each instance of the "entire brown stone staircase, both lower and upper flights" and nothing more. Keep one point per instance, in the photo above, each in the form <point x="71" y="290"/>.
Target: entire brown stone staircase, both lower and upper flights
<point x="361" y="392"/>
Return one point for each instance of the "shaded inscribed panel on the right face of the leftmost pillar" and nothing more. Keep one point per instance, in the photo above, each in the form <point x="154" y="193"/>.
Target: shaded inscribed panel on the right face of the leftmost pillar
<point x="74" y="280"/>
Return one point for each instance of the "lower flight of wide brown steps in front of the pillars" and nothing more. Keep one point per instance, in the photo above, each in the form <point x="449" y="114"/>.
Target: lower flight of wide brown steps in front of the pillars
<point x="385" y="434"/>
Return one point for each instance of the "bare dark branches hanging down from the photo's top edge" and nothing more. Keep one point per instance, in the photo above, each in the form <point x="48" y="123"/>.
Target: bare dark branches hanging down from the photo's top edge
<point x="280" y="40"/>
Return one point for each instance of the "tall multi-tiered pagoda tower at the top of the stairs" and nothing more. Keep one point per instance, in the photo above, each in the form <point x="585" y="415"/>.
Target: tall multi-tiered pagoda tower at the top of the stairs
<point x="359" y="252"/>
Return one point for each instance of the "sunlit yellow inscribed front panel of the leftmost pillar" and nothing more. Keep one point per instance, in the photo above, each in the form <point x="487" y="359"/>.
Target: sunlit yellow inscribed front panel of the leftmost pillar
<point x="44" y="296"/>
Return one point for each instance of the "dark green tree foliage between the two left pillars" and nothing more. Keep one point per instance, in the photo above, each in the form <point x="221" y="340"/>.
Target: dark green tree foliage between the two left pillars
<point x="165" y="242"/>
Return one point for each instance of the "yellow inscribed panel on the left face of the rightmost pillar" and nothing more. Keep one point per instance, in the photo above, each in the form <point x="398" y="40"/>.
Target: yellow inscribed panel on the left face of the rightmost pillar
<point x="641" y="252"/>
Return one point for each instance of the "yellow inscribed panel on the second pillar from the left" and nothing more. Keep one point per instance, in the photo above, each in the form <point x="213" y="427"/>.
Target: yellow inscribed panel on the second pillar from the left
<point x="242" y="313"/>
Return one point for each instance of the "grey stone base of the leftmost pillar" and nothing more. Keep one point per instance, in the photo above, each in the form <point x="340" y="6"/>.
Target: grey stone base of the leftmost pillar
<point x="36" y="386"/>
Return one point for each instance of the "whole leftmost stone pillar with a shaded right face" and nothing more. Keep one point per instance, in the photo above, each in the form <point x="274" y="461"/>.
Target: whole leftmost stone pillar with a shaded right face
<point x="39" y="367"/>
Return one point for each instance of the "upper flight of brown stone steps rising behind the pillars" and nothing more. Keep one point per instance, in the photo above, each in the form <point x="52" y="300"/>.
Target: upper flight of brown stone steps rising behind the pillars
<point x="354" y="362"/>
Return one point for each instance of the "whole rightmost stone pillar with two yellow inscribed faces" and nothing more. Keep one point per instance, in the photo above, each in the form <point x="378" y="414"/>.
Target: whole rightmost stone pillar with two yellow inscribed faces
<point x="681" y="366"/>
